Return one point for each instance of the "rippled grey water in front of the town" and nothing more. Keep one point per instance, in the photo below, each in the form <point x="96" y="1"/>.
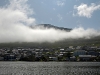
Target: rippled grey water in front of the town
<point x="49" y="68"/>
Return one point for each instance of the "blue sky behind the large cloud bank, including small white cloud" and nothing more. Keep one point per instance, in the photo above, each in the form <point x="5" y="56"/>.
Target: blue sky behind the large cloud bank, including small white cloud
<point x="65" y="13"/>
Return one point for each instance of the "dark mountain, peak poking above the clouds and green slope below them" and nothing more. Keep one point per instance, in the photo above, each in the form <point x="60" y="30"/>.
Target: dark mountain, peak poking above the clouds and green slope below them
<point x="63" y="43"/>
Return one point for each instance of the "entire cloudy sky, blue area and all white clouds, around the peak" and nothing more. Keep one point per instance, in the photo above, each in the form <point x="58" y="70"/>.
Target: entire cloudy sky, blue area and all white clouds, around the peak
<point x="16" y="17"/>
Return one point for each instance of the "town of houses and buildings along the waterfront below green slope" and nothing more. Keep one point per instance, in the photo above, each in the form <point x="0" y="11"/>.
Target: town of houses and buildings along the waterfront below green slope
<point x="70" y="53"/>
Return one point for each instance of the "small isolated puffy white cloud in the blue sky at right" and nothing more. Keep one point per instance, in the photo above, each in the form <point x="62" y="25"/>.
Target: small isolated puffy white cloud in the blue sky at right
<point x="85" y="10"/>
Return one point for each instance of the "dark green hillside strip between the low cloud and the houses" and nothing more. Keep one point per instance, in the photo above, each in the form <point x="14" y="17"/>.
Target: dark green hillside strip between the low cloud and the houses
<point x="70" y="42"/>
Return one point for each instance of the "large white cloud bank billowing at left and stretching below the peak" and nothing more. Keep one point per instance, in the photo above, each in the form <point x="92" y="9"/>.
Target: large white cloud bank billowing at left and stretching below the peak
<point x="15" y="22"/>
